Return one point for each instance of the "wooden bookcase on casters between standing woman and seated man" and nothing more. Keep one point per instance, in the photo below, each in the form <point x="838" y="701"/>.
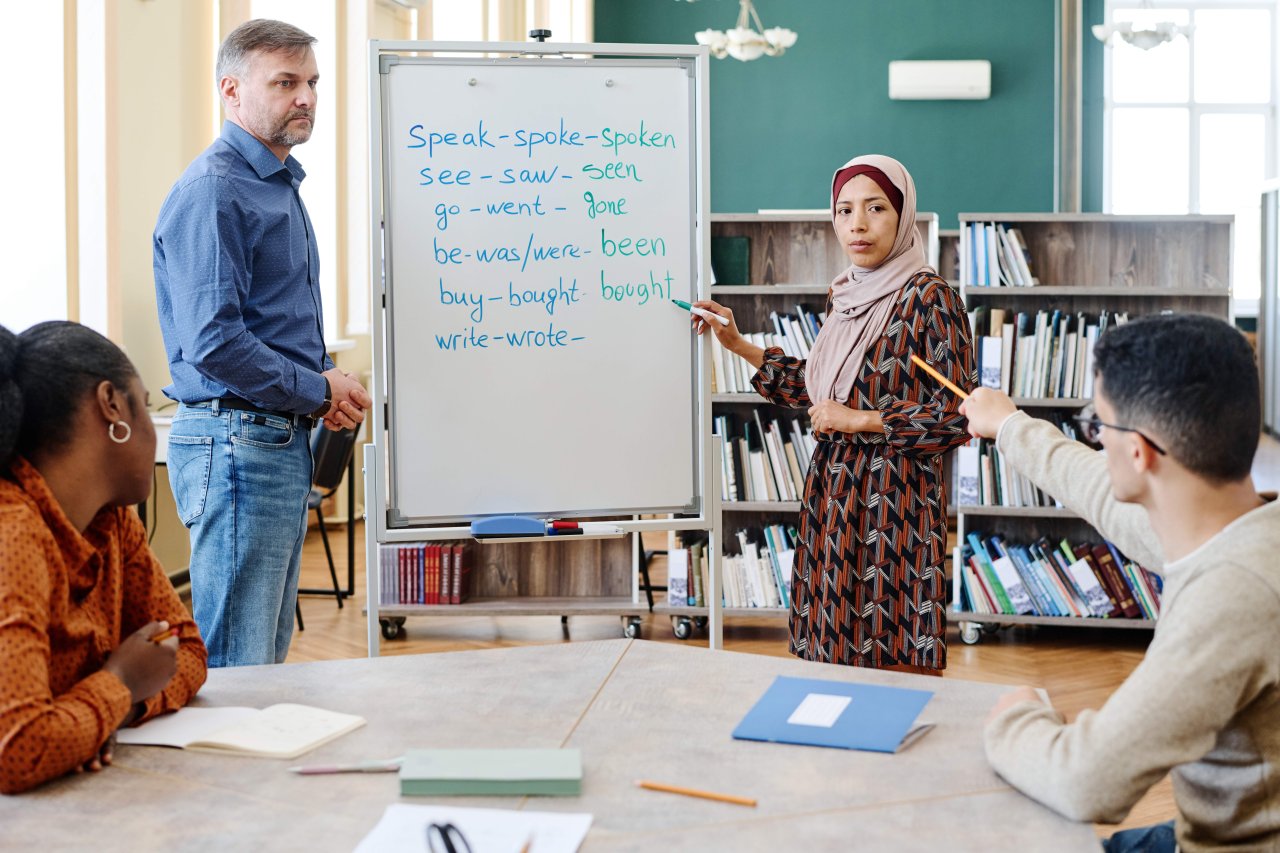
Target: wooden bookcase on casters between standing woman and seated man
<point x="1085" y="263"/>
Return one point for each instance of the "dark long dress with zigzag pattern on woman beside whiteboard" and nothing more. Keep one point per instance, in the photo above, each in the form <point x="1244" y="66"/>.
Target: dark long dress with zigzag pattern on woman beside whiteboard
<point x="870" y="587"/>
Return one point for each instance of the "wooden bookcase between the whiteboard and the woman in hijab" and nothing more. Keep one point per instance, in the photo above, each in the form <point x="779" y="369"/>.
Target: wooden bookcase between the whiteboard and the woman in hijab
<point x="793" y="257"/>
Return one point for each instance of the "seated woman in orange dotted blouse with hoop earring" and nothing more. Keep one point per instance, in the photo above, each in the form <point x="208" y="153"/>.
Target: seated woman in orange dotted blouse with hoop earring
<point x="83" y="599"/>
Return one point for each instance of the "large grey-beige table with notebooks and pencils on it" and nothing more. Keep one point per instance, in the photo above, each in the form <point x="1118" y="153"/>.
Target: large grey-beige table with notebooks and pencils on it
<point x="637" y="710"/>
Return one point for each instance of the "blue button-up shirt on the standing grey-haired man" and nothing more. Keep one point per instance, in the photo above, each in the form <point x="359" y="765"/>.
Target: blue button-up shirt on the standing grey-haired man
<point x="239" y="280"/>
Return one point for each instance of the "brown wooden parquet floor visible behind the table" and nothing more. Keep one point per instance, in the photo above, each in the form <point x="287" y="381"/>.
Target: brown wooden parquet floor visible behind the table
<point x="1080" y="668"/>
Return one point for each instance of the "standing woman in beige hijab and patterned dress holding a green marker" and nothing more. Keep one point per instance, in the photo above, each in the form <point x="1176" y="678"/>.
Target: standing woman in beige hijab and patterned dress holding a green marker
<point x="870" y="589"/>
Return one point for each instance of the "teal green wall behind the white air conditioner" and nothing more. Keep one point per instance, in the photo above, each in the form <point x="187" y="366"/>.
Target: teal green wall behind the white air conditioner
<point x="781" y="126"/>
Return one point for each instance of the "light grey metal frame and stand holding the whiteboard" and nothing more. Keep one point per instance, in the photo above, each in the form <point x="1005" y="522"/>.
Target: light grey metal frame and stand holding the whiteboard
<point x="376" y="463"/>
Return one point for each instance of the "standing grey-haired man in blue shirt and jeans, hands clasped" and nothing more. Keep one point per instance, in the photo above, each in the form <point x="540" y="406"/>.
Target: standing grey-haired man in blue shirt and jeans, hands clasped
<point x="239" y="294"/>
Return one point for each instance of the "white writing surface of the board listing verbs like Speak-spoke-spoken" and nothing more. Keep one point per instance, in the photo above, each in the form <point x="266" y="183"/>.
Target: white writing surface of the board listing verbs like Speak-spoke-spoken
<point x="540" y="216"/>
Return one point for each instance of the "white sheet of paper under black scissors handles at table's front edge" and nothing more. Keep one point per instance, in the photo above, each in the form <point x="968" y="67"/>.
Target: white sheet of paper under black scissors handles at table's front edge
<point x="488" y="831"/>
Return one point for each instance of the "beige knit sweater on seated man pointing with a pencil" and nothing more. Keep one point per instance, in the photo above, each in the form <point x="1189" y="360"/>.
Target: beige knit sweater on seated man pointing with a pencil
<point x="1204" y="704"/>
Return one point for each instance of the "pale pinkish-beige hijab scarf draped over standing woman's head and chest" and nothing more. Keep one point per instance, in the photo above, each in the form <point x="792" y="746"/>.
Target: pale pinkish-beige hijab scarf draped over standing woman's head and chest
<point x="863" y="299"/>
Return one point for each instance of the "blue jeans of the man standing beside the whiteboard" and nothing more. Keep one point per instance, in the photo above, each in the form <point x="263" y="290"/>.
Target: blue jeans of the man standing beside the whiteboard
<point x="241" y="481"/>
